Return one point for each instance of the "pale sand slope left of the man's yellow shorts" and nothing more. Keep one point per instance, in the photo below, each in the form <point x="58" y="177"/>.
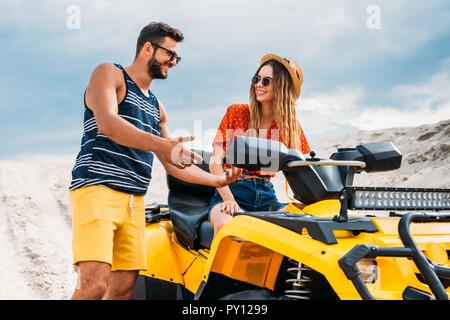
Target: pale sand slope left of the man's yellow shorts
<point x="35" y="231"/>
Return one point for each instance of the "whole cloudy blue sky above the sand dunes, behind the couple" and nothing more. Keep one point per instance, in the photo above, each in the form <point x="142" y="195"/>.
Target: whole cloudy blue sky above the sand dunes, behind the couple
<point x="356" y="77"/>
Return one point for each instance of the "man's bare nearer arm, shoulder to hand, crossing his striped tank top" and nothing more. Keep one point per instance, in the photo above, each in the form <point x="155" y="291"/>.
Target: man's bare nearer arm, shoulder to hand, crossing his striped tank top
<point x="101" y="98"/>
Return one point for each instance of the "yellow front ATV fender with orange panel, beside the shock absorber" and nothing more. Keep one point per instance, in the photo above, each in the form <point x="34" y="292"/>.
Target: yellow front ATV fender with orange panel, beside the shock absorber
<point x="274" y="243"/>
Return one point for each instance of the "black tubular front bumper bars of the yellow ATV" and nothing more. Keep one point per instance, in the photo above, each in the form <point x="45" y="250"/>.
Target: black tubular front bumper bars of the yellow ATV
<point x="432" y="273"/>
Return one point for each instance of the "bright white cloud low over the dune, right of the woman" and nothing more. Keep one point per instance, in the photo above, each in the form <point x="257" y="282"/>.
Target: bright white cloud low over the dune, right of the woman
<point x="421" y="103"/>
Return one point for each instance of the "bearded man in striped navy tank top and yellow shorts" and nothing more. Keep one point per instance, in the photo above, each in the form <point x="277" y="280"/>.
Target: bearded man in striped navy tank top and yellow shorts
<point x="124" y="124"/>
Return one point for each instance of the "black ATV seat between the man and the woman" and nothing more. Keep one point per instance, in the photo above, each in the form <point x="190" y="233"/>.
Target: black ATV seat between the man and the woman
<point x="189" y="204"/>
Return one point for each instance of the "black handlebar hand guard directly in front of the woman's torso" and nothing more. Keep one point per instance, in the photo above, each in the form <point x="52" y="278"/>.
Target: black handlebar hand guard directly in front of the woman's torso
<point x="255" y="154"/>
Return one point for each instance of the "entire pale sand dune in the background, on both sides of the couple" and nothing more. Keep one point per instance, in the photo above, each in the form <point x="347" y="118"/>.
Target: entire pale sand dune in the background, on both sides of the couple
<point x="35" y="219"/>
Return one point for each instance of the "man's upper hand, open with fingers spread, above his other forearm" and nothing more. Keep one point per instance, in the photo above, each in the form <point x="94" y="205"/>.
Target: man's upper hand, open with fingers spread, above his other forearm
<point x="176" y="154"/>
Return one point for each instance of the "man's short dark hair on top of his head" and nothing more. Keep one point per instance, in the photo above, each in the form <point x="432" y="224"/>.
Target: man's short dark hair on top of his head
<point x="155" y="32"/>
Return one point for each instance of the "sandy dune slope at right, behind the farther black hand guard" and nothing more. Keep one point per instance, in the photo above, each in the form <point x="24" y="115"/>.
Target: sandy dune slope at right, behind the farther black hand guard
<point x="425" y="150"/>
